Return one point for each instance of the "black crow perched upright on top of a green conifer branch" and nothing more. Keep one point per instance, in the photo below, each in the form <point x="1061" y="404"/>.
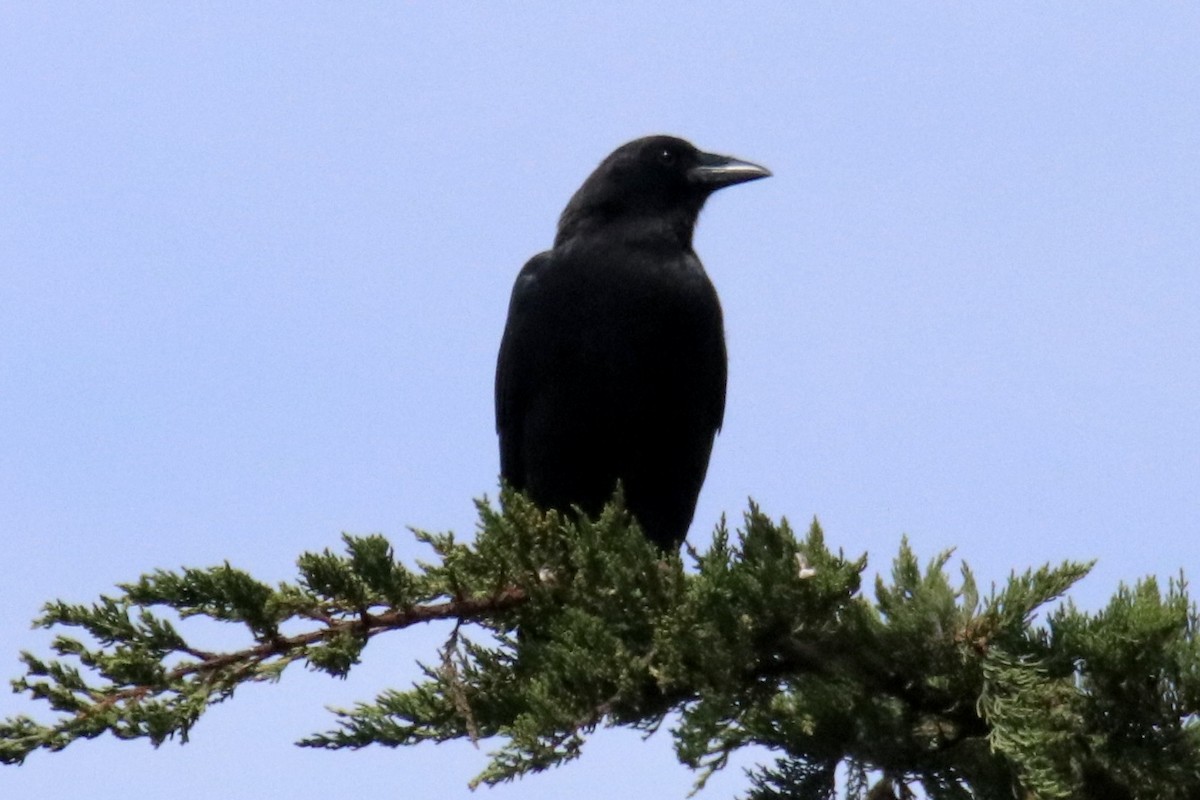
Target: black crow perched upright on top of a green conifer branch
<point x="613" y="365"/>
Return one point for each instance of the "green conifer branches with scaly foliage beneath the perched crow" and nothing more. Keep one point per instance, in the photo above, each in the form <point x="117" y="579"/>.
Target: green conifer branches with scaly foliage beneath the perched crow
<point x="563" y="627"/>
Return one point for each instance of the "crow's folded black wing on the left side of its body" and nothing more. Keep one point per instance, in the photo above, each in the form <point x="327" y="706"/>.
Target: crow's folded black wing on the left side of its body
<point x="515" y="366"/>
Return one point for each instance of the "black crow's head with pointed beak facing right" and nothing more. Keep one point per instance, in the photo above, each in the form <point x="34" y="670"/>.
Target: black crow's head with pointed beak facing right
<point x="658" y="183"/>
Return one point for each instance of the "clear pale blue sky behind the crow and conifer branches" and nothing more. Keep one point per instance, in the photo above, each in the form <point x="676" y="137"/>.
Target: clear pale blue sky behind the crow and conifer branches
<point x="255" y="263"/>
